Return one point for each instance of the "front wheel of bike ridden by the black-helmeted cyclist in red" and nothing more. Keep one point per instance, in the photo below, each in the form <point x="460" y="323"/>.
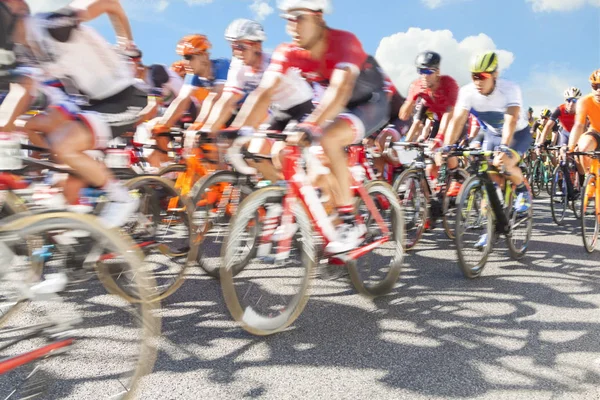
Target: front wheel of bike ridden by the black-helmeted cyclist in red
<point x="411" y="194"/>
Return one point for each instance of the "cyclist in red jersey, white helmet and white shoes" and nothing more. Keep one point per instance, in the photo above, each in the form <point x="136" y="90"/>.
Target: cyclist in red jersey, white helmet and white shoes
<point x="353" y="103"/>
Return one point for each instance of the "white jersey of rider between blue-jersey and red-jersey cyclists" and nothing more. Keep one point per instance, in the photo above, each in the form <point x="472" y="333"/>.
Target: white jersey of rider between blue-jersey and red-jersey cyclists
<point x="292" y="91"/>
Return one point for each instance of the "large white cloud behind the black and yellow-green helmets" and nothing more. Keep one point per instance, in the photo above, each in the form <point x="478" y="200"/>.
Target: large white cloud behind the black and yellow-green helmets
<point x="397" y="53"/>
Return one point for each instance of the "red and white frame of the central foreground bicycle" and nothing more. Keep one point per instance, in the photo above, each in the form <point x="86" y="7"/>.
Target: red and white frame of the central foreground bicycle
<point x="302" y="190"/>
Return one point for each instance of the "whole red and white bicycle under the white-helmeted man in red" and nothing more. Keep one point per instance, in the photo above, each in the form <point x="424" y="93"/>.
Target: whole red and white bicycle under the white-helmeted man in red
<point x="268" y="293"/>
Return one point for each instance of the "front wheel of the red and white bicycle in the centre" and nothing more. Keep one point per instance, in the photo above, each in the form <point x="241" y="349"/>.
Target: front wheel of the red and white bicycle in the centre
<point x="271" y="290"/>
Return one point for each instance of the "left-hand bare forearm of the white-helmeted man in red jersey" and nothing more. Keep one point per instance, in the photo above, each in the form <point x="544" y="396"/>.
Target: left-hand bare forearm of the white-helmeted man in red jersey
<point x="257" y="104"/>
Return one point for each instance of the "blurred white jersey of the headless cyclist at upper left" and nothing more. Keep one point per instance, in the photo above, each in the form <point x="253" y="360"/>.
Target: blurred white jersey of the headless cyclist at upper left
<point x="82" y="60"/>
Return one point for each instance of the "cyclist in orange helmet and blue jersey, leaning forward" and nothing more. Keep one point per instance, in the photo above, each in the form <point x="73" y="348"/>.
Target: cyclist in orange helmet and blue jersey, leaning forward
<point x="201" y="88"/>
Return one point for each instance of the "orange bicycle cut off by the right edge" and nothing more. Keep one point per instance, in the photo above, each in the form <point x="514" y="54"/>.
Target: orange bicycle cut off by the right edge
<point x="590" y="204"/>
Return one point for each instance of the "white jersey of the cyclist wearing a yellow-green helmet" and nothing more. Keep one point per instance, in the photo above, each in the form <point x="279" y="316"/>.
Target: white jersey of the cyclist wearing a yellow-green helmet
<point x="490" y="110"/>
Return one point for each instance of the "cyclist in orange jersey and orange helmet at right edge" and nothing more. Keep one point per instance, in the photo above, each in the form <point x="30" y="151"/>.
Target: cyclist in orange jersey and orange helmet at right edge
<point x="588" y="109"/>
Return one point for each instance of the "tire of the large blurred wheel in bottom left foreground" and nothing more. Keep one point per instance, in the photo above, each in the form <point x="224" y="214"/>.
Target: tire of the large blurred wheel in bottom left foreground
<point x="148" y="323"/>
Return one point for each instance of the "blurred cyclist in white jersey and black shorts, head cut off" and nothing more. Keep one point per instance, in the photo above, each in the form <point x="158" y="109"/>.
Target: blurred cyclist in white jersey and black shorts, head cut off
<point x="104" y="102"/>
